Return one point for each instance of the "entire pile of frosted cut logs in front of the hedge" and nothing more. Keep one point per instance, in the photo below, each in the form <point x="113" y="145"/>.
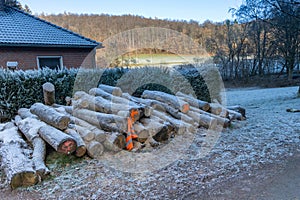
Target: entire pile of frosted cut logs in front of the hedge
<point x="104" y="120"/>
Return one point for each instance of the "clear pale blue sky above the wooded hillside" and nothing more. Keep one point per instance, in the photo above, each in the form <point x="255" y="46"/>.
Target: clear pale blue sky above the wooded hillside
<point x="198" y="10"/>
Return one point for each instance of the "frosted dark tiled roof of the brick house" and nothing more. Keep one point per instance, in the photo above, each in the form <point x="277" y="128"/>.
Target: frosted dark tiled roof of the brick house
<point x="18" y="28"/>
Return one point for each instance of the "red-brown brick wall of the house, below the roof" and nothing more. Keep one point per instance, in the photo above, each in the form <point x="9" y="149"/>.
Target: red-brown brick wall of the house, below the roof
<point x="27" y="57"/>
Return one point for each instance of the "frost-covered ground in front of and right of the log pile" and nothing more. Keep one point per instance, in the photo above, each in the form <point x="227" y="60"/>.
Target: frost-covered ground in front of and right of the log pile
<point x="246" y="151"/>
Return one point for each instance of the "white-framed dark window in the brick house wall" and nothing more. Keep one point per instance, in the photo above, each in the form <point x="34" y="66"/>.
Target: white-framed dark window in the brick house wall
<point x="52" y="62"/>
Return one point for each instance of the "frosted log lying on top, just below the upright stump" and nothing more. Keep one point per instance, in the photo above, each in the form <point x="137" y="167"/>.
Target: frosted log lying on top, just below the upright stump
<point x="50" y="116"/>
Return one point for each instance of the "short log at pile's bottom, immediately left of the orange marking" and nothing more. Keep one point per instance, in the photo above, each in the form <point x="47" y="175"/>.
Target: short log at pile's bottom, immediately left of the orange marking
<point x="115" y="142"/>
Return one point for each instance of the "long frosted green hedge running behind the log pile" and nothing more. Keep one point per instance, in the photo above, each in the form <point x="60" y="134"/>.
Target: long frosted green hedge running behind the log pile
<point x="24" y="88"/>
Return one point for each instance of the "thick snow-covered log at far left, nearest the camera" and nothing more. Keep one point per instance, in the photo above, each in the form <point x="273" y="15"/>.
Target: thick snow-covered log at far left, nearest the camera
<point x="17" y="166"/>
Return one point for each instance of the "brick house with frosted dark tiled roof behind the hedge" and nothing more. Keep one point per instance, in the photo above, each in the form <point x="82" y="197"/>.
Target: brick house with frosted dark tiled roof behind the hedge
<point x="27" y="42"/>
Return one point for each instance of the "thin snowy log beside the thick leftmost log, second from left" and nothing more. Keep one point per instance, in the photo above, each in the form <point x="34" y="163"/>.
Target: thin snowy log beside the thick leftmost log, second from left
<point x="29" y="127"/>
